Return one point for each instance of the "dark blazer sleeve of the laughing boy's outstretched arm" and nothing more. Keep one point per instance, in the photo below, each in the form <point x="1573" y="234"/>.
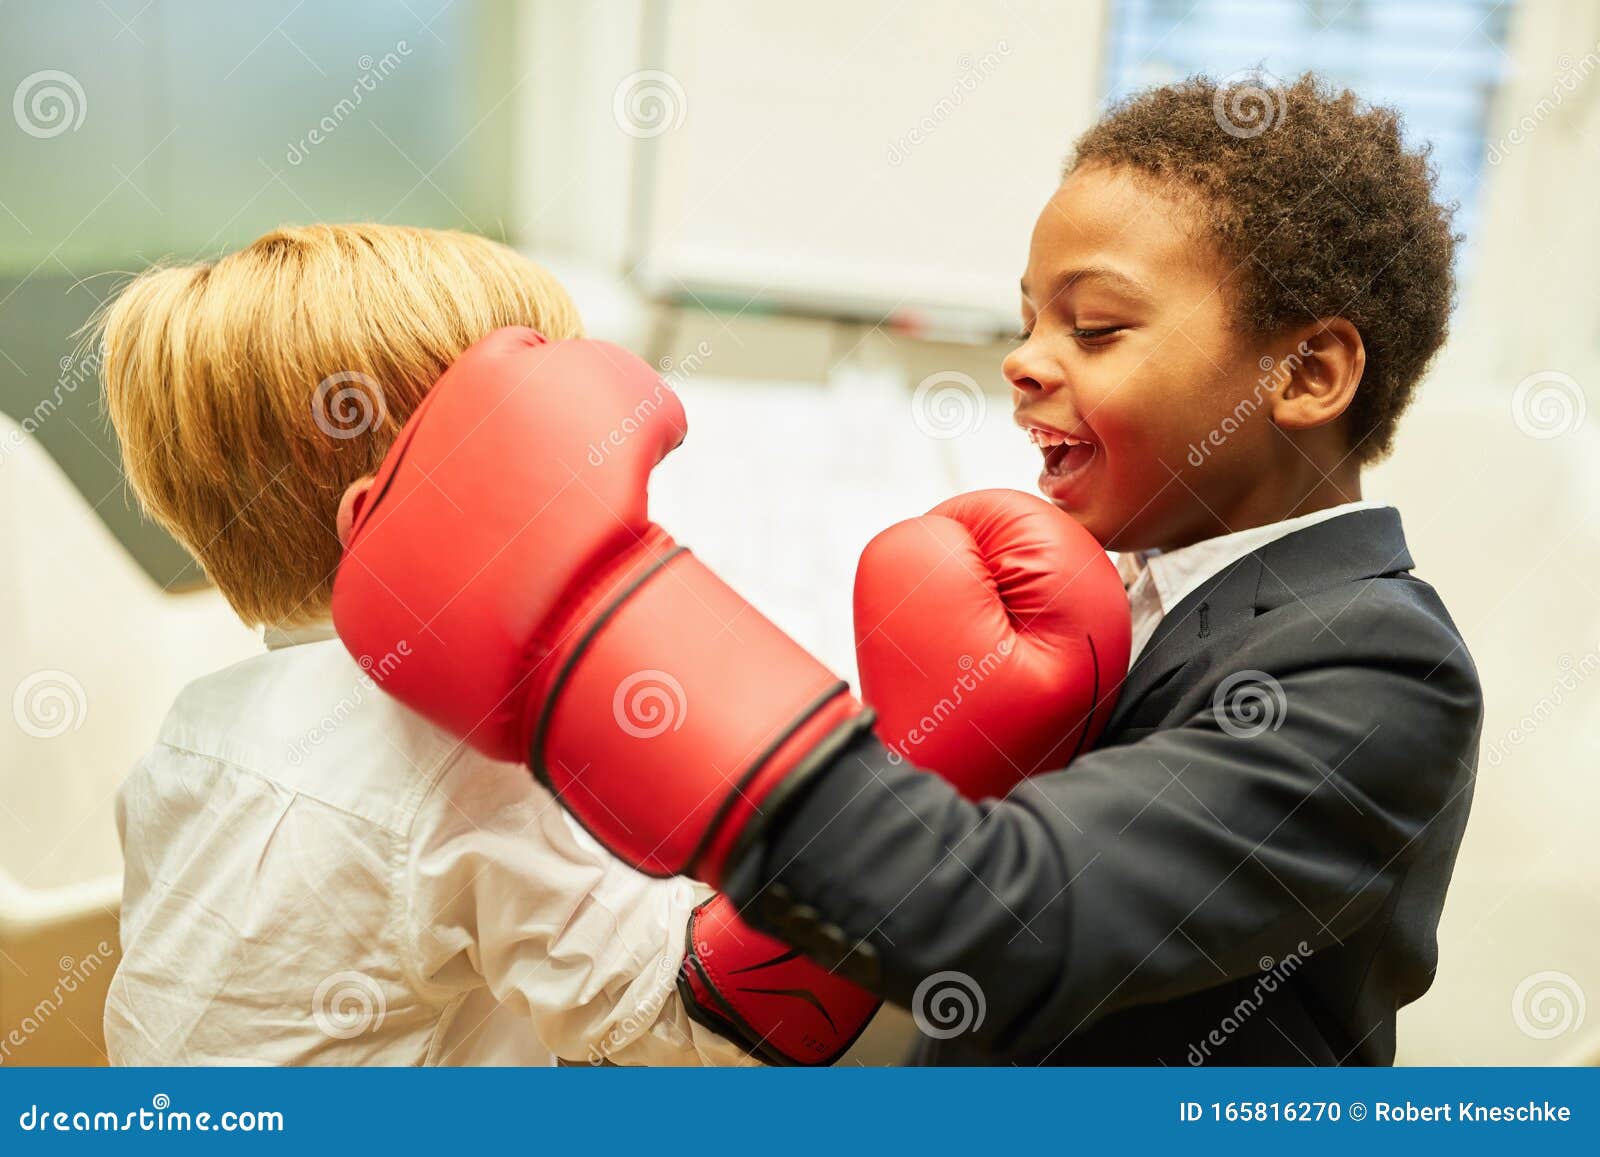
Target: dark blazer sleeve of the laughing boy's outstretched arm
<point x="1276" y="819"/>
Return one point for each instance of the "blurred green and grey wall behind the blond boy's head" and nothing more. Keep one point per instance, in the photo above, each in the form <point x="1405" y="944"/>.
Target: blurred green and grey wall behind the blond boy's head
<point x="178" y="130"/>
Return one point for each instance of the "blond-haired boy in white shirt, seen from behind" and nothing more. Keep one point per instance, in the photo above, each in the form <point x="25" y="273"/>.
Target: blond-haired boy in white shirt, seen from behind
<point x="314" y="875"/>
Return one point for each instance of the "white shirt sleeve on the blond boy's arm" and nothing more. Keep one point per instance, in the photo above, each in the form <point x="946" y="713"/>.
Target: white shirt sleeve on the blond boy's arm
<point x="503" y="891"/>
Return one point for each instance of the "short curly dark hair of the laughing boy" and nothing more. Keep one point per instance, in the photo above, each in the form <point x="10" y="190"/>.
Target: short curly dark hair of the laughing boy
<point x="1321" y="209"/>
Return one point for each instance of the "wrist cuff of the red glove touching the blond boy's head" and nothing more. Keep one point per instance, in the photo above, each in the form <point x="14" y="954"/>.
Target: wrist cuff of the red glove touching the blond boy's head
<point x="673" y="710"/>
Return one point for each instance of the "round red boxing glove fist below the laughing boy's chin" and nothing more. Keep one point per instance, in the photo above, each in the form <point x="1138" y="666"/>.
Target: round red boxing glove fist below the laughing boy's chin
<point x="991" y="636"/>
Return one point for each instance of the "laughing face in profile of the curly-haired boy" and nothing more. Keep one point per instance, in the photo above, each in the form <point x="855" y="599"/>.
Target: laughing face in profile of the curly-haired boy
<point x="1132" y="362"/>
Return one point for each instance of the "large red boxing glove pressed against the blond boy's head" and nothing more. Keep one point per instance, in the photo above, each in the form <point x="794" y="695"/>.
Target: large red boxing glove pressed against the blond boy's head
<point x="503" y="578"/>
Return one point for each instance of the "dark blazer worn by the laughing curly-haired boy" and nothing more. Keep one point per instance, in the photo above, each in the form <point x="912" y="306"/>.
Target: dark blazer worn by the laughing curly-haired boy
<point x="1249" y="870"/>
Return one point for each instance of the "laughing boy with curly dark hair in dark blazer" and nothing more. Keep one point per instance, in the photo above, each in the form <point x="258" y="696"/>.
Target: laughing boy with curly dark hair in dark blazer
<point x="1222" y="329"/>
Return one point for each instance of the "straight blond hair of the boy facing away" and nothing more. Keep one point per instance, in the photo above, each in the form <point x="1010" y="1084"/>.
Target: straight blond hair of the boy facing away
<point x="252" y="391"/>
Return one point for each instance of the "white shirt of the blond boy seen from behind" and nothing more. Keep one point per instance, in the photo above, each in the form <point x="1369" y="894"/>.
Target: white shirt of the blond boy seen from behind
<point x="319" y="876"/>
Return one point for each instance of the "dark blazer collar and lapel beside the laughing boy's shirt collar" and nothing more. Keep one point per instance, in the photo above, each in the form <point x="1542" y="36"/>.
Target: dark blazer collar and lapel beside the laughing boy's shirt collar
<point x="1345" y="550"/>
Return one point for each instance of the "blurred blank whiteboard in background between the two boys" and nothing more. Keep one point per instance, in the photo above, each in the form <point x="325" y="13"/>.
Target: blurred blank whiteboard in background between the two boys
<point x="857" y="159"/>
